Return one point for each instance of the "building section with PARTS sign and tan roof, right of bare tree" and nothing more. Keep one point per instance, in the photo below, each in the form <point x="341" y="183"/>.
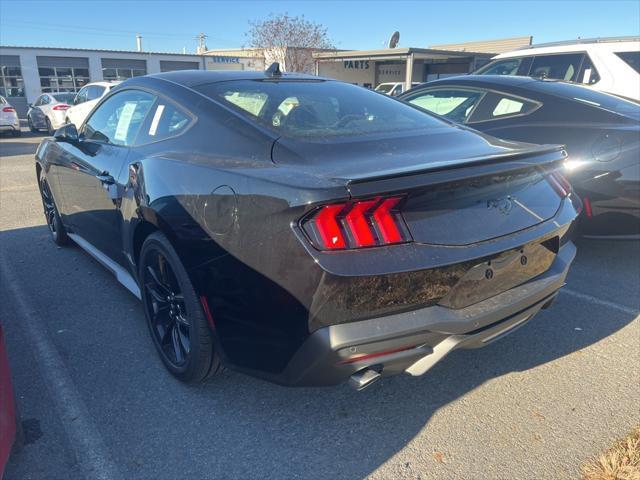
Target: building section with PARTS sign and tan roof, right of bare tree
<point x="369" y="68"/>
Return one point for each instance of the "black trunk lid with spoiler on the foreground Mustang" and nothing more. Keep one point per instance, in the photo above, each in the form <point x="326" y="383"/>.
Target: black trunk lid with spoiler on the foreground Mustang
<point x="459" y="187"/>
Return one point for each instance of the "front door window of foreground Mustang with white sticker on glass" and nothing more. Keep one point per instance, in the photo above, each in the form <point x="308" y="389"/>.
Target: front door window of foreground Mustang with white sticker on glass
<point x="118" y="120"/>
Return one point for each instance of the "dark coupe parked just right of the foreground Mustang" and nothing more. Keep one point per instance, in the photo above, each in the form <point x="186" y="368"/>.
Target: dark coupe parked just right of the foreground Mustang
<point x="601" y="133"/>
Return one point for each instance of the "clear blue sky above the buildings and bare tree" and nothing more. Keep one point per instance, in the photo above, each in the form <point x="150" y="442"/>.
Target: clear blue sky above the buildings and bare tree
<point x="171" y="26"/>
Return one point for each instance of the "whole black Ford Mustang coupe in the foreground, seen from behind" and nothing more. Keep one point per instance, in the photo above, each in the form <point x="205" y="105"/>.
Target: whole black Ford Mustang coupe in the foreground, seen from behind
<point x="305" y="230"/>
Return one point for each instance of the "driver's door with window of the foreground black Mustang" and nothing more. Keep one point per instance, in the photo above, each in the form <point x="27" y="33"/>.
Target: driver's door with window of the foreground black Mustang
<point x="92" y="177"/>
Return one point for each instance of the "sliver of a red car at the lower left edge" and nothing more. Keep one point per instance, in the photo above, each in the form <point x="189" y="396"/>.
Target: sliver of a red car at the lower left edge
<point x="10" y="431"/>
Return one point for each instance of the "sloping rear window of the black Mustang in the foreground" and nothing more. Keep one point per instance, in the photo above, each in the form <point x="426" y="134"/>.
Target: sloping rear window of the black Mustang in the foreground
<point x="317" y="108"/>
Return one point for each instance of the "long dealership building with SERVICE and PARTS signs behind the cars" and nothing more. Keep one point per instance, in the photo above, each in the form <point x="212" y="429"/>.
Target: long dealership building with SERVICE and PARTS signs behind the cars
<point x="27" y="72"/>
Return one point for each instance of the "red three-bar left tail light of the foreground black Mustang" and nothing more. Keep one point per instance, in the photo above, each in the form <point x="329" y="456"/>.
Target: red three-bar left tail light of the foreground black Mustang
<point x="357" y="224"/>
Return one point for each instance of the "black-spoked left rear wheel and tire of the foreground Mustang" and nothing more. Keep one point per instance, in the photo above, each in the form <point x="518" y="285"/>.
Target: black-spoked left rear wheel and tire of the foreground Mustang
<point x="175" y="317"/>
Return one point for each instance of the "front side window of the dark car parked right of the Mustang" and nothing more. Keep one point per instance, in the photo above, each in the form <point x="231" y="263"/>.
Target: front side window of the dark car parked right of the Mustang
<point x="456" y="105"/>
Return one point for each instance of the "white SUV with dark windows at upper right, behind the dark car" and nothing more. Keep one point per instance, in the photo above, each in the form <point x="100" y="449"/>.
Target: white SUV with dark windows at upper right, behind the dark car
<point x="610" y="65"/>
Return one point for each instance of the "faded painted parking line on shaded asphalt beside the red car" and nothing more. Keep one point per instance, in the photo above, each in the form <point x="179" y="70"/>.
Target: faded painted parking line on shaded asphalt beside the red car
<point x="84" y="438"/>
